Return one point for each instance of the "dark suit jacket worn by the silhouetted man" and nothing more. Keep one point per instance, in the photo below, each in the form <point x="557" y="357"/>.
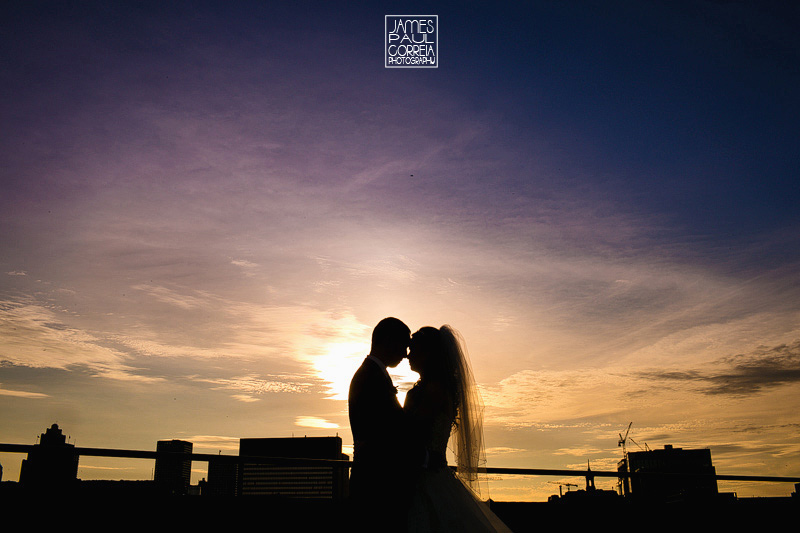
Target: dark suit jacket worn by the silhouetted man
<point x="379" y="433"/>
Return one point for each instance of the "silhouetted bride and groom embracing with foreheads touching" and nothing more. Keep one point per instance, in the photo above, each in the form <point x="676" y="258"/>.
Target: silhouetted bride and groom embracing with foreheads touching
<point x="399" y="480"/>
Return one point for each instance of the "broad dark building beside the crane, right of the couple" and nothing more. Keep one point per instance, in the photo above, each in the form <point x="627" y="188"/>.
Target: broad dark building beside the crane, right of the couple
<point x="687" y="474"/>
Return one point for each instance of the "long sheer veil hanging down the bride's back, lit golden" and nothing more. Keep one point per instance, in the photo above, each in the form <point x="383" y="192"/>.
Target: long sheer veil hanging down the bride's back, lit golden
<point x="467" y="432"/>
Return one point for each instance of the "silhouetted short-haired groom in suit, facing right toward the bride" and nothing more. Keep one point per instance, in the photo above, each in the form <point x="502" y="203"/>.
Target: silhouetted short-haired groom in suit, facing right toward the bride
<point x="380" y="484"/>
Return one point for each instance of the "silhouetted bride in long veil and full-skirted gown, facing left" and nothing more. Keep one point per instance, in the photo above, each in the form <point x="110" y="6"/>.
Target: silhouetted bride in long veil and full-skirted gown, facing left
<point x="445" y="403"/>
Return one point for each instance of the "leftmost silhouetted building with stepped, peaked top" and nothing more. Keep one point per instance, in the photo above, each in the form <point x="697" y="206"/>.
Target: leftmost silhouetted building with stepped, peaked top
<point x="52" y="463"/>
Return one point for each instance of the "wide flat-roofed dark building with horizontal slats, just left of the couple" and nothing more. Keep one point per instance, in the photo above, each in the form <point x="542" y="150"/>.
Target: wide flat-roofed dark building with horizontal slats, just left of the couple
<point x="293" y="480"/>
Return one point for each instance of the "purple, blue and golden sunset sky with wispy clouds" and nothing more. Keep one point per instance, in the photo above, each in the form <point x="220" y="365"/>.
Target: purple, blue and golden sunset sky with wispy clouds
<point x="207" y="206"/>
